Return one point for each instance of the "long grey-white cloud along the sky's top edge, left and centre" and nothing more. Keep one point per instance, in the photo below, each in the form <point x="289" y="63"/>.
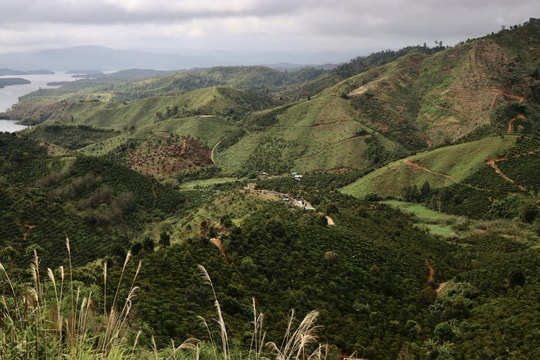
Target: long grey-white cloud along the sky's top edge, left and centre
<point x="102" y="12"/>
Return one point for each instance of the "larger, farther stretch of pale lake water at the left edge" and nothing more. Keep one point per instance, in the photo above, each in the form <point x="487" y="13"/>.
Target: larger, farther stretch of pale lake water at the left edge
<point x="9" y="95"/>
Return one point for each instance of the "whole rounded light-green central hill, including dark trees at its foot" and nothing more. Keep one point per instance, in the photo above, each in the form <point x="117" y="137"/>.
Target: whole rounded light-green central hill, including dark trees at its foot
<point x="318" y="134"/>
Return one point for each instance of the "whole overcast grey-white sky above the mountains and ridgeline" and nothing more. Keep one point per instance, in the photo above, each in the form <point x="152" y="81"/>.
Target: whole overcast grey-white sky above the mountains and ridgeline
<point x="176" y="26"/>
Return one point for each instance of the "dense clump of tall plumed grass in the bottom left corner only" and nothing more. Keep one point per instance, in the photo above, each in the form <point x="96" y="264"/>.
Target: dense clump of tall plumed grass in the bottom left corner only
<point x="48" y="318"/>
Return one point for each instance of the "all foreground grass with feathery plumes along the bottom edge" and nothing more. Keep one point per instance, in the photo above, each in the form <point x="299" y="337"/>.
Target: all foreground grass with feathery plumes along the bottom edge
<point x="53" y="317"/>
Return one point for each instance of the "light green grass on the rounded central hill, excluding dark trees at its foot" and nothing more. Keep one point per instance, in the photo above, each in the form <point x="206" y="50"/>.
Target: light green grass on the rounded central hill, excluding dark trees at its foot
<point x="318" y="133"/>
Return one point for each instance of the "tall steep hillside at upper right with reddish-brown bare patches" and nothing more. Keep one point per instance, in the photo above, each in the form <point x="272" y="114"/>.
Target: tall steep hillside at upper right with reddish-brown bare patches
<point x="480" y="85"/>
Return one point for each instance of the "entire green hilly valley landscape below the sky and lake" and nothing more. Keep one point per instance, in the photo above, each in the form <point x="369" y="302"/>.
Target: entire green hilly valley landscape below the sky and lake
<point x="396" y="194"/>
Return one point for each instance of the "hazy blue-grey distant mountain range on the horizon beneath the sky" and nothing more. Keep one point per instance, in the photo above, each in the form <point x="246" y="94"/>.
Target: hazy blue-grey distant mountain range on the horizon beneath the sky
<point x="103" y="58"/>
